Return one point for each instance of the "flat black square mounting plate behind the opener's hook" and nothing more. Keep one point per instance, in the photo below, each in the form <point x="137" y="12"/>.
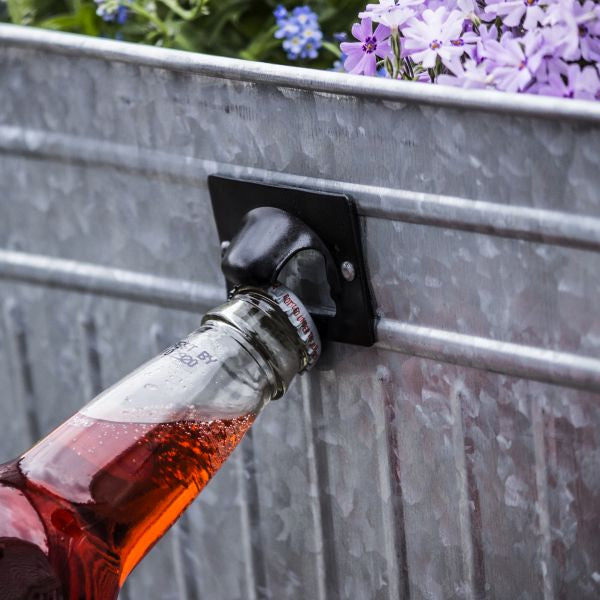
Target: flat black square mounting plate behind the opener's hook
<point x="333" y="218"/>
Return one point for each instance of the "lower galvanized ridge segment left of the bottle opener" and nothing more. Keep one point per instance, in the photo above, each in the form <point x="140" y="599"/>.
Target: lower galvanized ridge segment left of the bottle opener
<point x="107" y="281"/>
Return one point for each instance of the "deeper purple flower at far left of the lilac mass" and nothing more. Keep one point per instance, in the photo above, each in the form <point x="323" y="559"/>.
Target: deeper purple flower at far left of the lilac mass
<point x="362" y="55"/>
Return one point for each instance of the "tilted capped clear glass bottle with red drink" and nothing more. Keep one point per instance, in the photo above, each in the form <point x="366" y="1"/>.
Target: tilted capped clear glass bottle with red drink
<point x="81" y="508"/>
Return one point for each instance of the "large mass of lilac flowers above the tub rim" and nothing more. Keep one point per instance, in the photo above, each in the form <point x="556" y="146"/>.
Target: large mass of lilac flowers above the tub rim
<point x="537" y="46"/>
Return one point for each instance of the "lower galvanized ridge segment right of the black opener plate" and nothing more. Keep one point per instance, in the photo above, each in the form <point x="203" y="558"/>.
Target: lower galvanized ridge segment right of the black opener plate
<point x="529" y="362"/>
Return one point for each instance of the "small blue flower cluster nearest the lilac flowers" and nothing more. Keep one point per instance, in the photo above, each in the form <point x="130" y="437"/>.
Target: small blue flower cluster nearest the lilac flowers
<point x="300" y="31"/>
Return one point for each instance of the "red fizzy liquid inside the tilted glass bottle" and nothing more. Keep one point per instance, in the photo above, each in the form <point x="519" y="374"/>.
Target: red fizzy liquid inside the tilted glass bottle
<point x="94" y="496"/>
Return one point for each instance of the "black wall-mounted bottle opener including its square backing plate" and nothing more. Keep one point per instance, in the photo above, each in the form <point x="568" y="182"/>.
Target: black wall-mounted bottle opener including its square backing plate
<point x="261" y="227"/>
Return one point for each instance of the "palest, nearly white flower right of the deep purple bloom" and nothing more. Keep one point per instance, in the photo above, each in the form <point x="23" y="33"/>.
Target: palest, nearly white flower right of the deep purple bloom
<point x="438" y="34"/>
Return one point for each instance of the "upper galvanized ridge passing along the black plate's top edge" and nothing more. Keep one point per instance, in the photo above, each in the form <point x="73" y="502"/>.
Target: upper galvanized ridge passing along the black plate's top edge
<point x="521" y="222"/>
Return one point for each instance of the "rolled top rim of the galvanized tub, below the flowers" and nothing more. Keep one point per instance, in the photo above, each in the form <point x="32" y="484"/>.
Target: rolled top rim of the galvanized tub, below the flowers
<point x="300" y="78"/>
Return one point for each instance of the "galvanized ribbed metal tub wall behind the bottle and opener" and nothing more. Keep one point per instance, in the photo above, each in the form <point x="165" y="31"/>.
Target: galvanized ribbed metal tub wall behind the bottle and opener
<point x="459" y="457"/>
